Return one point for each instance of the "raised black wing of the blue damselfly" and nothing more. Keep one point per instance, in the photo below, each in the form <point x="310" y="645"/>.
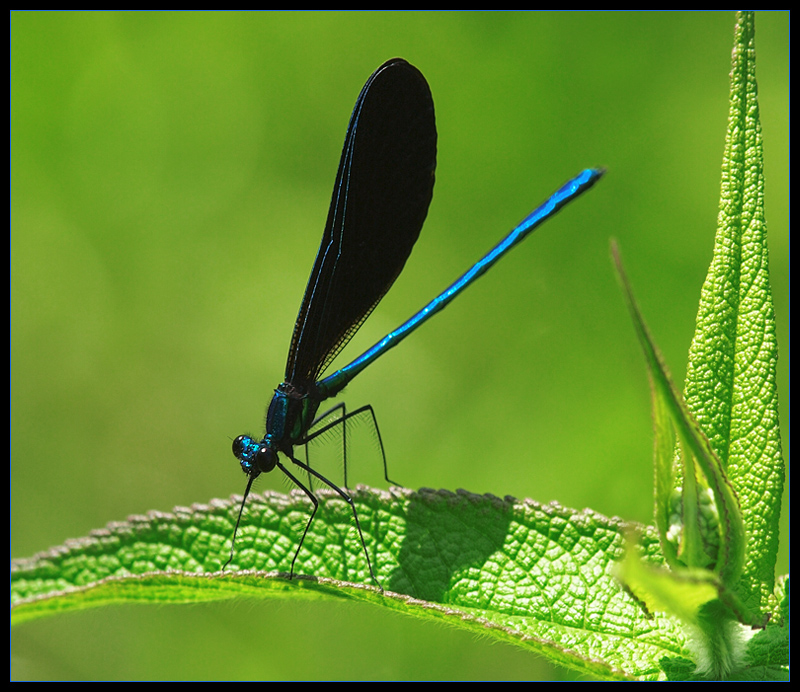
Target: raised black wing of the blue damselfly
<point x="380" y="199"/>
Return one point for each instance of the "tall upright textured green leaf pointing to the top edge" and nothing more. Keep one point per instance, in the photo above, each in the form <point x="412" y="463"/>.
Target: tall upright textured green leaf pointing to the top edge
<point x="731" y="379"/>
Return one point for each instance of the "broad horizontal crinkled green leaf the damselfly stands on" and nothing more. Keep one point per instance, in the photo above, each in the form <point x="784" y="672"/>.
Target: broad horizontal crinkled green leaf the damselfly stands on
<point x="535" y="575"/>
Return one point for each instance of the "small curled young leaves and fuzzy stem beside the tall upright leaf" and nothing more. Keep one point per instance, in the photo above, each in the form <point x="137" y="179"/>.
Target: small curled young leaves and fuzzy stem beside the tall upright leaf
<point x="705" y="600"/>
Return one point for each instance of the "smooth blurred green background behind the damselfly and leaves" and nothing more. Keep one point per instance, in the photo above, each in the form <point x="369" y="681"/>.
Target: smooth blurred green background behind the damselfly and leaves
<point x="170" y="177"/>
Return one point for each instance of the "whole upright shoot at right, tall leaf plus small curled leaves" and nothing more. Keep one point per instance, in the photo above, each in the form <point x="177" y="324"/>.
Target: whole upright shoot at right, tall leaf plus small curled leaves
<point x="724" y="438"/>
